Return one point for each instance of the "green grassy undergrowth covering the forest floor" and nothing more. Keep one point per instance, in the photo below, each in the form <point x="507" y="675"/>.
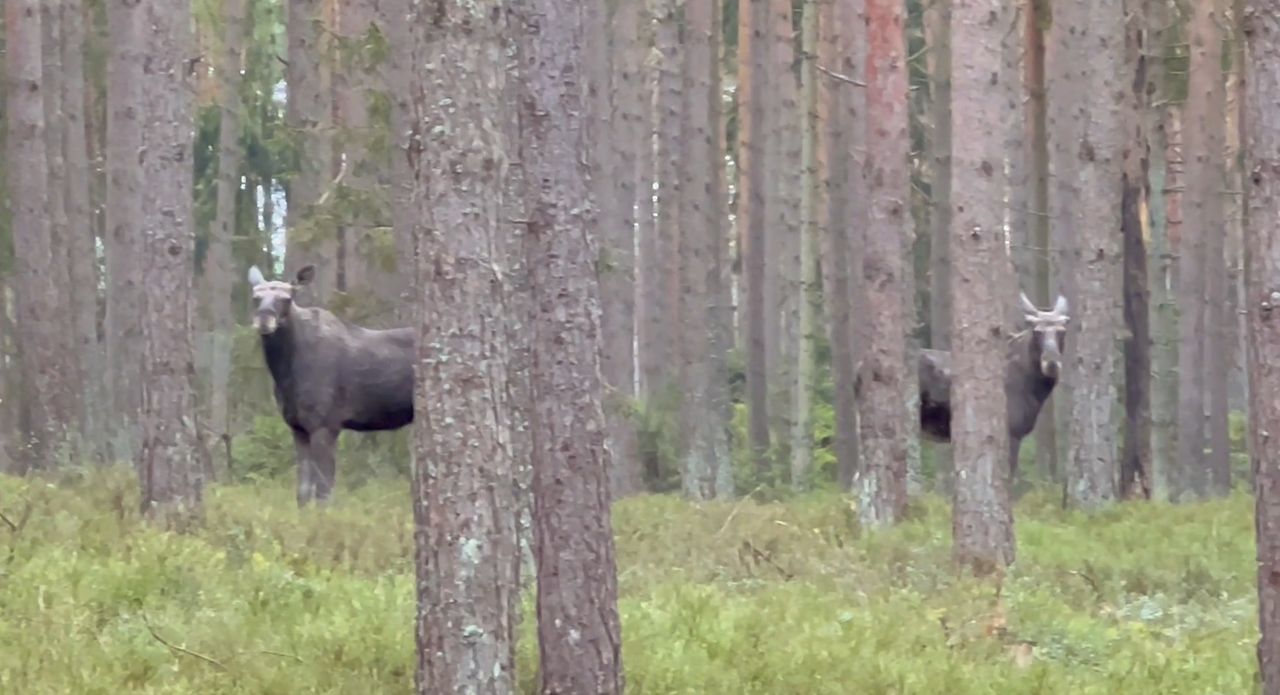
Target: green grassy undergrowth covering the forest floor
<point x="734" y="598"/>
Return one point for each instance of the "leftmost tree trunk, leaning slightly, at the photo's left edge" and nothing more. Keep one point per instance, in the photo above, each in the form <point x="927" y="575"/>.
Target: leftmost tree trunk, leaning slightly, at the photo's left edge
<point x="45" y="388"/>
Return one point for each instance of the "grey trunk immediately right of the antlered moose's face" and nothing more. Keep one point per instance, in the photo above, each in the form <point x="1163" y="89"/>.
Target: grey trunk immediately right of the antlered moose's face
<point x="1089" y="89"/>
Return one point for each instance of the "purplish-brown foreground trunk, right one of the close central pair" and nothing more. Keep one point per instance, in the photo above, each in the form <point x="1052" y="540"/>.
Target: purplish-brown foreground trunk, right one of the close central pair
<point x="578" y="616"/>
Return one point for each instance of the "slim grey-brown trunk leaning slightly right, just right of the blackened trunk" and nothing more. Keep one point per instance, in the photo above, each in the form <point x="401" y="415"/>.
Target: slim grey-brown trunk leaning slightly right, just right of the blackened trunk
<point x="1203" y="147"/>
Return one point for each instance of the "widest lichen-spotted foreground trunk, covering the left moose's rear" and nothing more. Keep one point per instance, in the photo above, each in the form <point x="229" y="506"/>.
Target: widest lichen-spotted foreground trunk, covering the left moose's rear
<point x="463" y="495"/>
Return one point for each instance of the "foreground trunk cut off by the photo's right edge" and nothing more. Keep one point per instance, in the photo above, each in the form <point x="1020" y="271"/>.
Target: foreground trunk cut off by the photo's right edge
<point x="1263" y="295"/>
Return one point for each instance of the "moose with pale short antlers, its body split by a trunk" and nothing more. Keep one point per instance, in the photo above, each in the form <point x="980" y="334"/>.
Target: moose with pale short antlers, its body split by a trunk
<point x="1034" y="364"/>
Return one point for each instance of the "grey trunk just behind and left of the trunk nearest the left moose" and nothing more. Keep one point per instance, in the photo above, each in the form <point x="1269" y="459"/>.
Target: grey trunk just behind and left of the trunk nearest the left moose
<point x="125" y="300"/>
